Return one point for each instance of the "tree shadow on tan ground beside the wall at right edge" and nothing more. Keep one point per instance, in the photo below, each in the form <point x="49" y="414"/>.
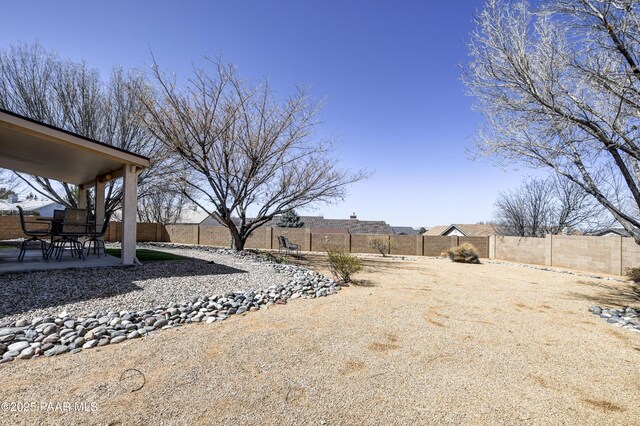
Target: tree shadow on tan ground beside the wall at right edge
<point x="608" y="294"/>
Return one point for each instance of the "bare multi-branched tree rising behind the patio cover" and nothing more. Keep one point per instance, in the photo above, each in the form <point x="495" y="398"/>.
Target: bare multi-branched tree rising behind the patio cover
<point x="40" y="85"/>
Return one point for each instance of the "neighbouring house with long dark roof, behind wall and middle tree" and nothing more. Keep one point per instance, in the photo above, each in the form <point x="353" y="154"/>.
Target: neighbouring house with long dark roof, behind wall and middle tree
<point x="319" y="224"/>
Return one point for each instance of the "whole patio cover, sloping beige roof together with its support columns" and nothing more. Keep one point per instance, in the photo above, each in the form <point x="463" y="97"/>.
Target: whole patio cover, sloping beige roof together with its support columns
<point x="29" y="146"/>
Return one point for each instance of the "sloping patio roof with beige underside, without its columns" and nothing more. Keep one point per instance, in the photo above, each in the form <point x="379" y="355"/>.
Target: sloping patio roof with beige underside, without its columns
<point x="38" y="149"/>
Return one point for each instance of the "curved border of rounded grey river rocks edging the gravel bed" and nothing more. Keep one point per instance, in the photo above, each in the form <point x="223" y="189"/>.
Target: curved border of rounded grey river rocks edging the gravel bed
<point x="49" y="336"/>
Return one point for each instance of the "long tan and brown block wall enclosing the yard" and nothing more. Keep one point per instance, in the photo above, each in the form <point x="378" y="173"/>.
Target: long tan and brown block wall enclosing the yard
<point x="611" y="255"/>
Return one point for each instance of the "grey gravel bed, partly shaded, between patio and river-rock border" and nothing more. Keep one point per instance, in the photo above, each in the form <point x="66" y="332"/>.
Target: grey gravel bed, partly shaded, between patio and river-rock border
<point x="82" y="291"/>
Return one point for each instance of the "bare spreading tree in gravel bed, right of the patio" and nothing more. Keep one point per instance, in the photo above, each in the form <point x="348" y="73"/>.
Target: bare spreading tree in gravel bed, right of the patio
<point x="244" y="148"/>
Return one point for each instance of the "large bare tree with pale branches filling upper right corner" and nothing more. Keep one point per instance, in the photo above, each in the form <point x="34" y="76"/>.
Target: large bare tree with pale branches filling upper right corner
<point x="559" y="87"/>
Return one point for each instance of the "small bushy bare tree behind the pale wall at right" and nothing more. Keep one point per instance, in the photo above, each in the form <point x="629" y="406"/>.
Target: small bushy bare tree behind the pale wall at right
<point x="548" y="206"/>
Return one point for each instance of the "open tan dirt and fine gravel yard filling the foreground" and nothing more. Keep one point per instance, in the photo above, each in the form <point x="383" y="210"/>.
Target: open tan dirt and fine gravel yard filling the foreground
<point x="423" y="341"/>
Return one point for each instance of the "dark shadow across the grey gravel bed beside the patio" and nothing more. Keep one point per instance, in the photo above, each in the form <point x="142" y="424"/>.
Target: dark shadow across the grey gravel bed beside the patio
<point x="23" y="292"/>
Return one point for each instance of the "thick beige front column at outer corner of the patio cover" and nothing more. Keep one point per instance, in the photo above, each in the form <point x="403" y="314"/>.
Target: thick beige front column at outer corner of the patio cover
<point x="129" y="209"/>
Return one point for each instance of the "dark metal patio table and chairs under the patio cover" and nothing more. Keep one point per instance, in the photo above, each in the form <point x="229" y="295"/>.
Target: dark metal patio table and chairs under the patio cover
<point x="71" y="230"/>
